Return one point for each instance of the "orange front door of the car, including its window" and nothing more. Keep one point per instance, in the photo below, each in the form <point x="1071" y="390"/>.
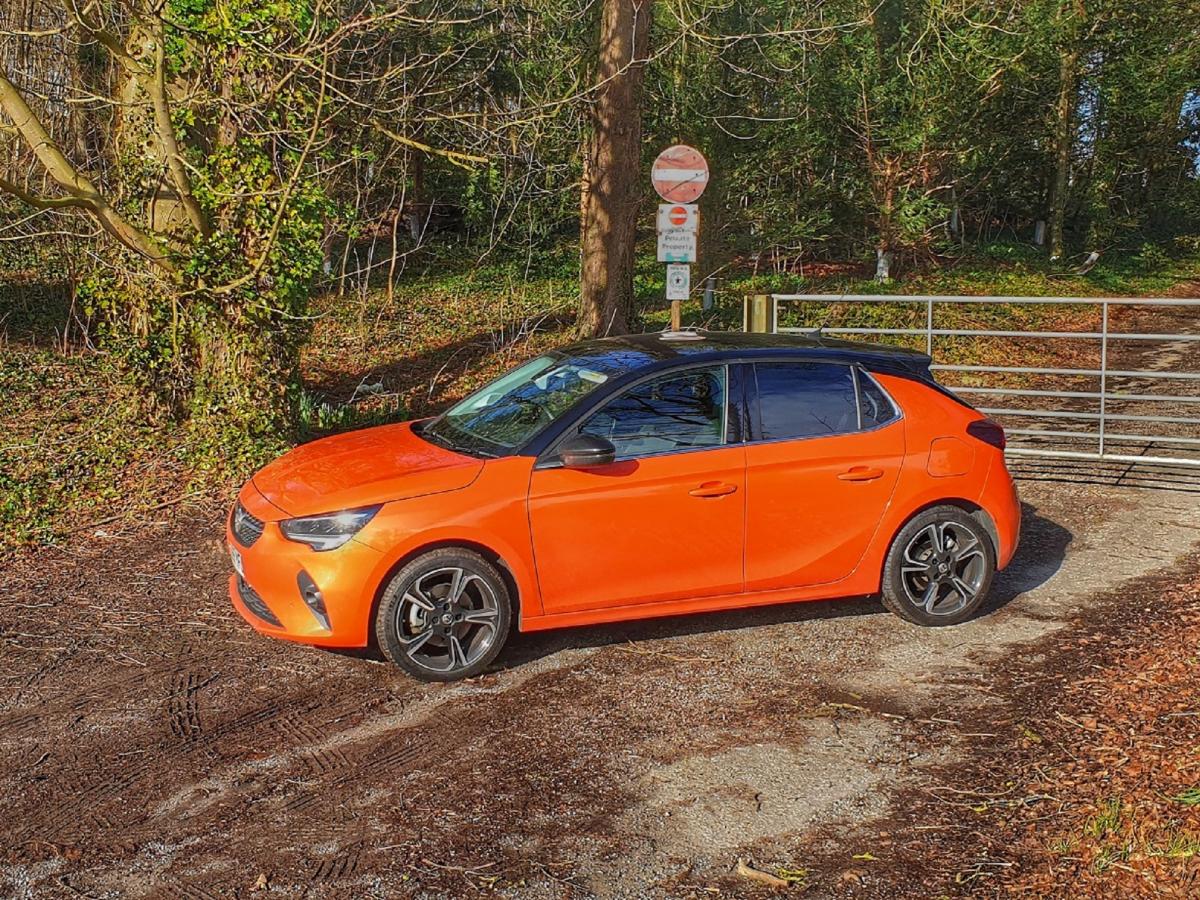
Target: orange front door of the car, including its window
<point x="667" y="520"/>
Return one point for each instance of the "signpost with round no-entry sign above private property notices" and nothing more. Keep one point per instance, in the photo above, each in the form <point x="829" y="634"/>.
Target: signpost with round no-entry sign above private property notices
<point x="680" y="177"/>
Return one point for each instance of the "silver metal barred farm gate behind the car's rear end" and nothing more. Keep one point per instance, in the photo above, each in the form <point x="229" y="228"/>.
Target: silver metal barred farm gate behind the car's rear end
<point x="1124" y="388"/>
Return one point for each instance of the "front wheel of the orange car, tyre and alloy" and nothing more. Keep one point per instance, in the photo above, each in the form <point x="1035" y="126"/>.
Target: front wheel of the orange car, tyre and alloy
<point x="445" y="616"/>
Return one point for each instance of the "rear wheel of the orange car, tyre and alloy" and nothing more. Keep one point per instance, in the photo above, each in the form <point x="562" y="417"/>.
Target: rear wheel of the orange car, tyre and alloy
<point x="940" y="568"/>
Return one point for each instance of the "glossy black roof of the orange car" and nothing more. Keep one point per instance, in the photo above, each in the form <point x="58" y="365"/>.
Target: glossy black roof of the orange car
<point x="652" y="351"/>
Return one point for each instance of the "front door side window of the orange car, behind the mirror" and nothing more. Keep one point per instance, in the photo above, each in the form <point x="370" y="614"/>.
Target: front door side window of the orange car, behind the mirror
<point x="676" y="412"/>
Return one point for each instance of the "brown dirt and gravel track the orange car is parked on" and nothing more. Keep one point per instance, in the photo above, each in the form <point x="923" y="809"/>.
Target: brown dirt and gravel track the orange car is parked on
<point x="151" y="745"/>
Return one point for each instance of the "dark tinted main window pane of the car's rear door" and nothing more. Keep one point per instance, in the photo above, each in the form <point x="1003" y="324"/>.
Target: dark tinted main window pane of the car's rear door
<point x="805" y="400"/>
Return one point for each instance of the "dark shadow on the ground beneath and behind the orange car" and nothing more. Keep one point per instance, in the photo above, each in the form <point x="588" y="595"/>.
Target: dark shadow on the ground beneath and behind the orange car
<point x="1040" y="556"/>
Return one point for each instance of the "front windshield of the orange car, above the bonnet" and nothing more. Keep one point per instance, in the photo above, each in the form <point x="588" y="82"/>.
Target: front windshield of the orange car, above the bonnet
<point x="517" y="406"/>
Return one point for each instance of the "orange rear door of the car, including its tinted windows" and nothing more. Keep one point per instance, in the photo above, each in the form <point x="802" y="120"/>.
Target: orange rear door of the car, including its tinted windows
<point x="825" y="457"/>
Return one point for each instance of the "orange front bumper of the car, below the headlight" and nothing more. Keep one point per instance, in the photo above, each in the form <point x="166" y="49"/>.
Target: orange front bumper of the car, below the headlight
<point x="271" y="597"/>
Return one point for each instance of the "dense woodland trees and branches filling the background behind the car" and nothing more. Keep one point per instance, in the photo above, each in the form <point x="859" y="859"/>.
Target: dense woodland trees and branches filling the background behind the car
<point x="200" y="167"/>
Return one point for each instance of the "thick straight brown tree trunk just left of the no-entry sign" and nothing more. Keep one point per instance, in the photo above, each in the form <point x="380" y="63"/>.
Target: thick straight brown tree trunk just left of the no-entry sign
<point x="613" y="175"/>
